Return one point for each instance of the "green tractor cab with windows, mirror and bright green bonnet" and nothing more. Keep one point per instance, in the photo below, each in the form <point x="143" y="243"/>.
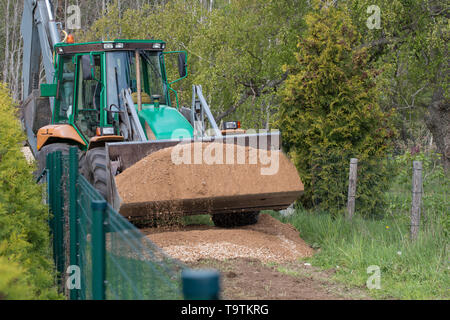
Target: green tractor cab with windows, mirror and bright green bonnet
<point x="90" y="80"/>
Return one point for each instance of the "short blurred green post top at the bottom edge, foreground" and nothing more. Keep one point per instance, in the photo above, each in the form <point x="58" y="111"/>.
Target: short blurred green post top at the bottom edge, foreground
<point x="201" y="284"/>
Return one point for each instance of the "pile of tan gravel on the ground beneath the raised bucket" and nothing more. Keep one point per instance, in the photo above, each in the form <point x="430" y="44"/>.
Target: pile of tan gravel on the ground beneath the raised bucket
<point x="268" y="241"/>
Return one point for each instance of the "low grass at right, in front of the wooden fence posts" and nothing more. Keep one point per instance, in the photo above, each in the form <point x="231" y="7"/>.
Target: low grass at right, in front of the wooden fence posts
<point x="409" y="270"/>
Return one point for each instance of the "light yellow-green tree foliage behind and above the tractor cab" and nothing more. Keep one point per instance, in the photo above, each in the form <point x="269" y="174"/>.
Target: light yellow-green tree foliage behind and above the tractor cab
<point x="236" y="49"/>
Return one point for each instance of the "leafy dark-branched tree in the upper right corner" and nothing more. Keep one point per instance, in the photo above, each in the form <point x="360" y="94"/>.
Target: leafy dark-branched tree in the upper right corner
<point x="411" y="46"/>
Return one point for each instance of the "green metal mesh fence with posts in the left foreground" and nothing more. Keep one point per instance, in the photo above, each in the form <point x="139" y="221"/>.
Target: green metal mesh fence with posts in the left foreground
<point x="114" y="260"/>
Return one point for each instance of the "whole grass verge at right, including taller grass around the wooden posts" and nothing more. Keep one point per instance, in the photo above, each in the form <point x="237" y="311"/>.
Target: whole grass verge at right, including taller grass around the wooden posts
<point x="409" y="269"/>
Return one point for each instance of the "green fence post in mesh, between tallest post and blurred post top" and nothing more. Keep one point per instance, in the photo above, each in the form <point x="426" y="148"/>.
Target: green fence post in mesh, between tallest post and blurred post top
<point x="98" y="249"/>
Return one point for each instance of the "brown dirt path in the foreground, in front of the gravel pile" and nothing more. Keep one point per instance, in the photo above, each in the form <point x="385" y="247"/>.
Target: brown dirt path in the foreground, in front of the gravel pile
<point x="248" y="279"/>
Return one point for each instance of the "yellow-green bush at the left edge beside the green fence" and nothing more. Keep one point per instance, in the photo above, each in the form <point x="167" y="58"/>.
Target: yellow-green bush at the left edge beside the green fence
<point x="24" y="231"/>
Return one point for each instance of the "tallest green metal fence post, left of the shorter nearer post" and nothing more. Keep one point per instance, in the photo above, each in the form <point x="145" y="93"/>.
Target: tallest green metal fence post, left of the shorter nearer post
<point x="73" y="215"/>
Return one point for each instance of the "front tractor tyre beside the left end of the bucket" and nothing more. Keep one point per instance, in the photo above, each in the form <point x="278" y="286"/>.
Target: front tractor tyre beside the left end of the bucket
<point x="94" y="169"/>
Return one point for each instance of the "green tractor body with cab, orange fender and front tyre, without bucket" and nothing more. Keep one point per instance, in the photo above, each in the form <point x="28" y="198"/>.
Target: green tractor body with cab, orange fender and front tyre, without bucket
<point x="96" y="100"/>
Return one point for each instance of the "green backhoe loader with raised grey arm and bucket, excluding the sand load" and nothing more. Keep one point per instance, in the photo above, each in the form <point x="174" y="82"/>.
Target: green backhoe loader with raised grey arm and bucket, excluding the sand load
<point x="112" y="99"/>
